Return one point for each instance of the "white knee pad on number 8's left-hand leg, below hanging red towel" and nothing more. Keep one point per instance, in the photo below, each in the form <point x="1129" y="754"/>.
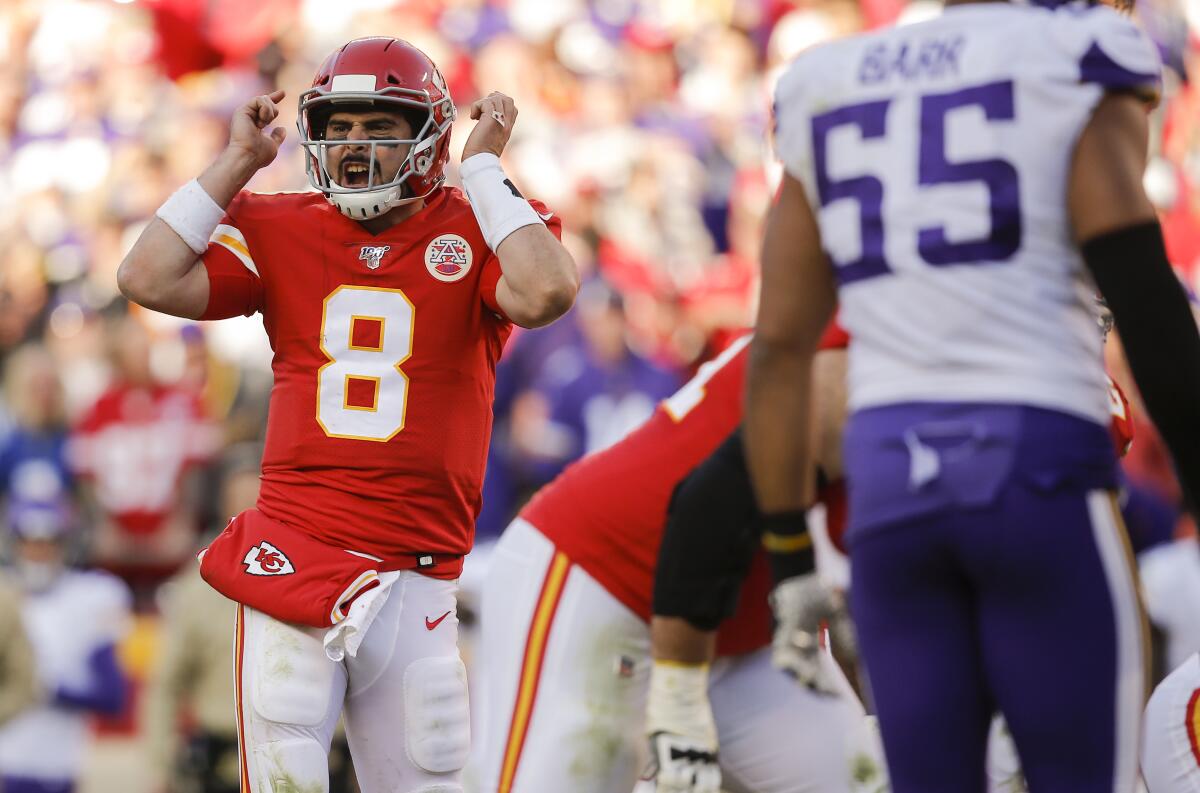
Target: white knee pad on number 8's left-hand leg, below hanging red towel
<point x="292" y="676"/>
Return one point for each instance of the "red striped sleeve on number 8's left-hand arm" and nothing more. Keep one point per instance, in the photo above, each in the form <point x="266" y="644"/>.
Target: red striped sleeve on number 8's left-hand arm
<point x="236" y="289"/>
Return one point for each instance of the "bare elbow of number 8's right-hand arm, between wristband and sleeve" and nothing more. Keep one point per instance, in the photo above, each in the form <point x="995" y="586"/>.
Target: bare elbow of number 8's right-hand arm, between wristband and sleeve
<point x="541" y="279"/>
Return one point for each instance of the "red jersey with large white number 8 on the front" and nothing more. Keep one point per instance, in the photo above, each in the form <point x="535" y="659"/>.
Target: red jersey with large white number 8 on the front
<point x="386" y="352"/>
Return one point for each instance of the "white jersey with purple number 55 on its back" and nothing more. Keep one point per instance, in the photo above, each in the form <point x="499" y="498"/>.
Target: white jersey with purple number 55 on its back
<point x="937" y="159"/>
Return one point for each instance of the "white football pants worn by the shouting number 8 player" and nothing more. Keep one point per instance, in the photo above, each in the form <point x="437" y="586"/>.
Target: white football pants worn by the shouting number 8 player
<point x="404" y="698"/>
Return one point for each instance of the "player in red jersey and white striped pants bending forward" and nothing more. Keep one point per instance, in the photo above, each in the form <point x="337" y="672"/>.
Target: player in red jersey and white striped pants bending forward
<point x="567" y="600"/>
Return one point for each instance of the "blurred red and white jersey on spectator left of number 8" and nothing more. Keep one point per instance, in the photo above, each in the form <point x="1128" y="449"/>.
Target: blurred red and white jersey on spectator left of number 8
<point x="135" y="444"/>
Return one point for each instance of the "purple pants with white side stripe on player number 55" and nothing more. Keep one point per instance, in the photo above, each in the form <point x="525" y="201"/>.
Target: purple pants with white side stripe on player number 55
<point x="991" y="573"/>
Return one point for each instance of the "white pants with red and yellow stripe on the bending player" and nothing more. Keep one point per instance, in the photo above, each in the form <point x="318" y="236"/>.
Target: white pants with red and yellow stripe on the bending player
<point x="567" y="671"/>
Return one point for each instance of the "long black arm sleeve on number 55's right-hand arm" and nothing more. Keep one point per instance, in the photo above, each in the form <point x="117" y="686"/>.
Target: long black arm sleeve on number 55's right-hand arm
<point x="1160" y="337"/>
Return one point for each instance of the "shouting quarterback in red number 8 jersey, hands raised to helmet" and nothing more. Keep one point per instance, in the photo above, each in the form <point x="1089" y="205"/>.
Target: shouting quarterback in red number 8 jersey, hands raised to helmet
<point x="387" y="298"/>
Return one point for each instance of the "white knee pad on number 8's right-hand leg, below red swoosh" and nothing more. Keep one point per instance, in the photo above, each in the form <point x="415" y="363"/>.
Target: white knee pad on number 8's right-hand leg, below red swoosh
<point x="437" y="718"/>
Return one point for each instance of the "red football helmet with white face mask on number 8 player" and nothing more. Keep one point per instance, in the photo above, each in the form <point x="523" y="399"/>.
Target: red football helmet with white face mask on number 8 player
<point x="389" y="74"/>
